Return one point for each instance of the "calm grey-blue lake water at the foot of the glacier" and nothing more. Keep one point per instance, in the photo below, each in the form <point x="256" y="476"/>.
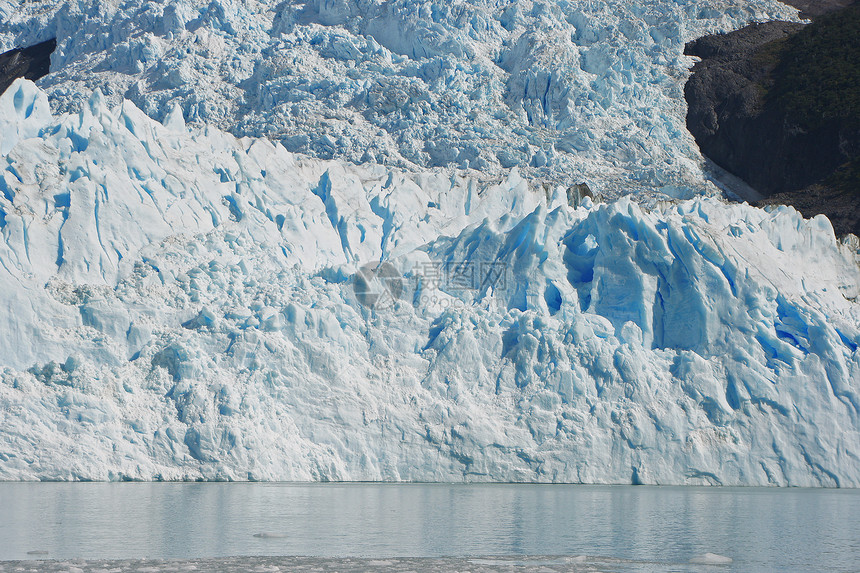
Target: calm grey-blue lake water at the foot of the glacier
<point x="203" y="526"/>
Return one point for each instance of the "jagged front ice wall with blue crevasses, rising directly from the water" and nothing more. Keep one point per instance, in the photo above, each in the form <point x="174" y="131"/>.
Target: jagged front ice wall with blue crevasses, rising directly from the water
<point x="179" y="304"/>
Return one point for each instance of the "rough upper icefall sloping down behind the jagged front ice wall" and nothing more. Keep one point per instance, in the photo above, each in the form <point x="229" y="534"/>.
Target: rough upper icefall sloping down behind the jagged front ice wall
<point x="568" y="91"/>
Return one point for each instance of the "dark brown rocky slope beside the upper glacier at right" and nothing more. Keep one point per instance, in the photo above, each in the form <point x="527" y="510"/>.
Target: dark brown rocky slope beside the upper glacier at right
<point x="778" y="105"/>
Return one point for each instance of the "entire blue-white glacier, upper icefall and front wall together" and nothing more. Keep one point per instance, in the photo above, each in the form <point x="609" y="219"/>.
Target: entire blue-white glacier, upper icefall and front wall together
<point x="197" y="203"/>
